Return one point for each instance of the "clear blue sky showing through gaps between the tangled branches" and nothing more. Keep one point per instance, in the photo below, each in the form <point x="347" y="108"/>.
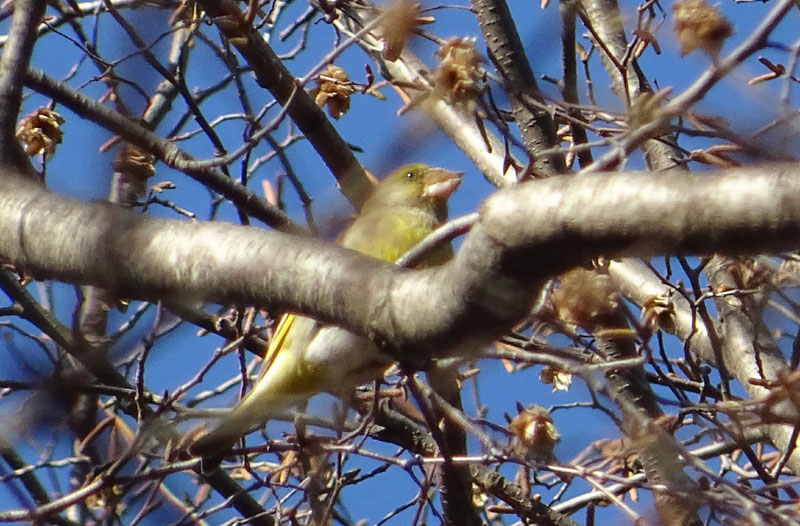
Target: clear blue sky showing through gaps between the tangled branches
<point x="79" y="170"/>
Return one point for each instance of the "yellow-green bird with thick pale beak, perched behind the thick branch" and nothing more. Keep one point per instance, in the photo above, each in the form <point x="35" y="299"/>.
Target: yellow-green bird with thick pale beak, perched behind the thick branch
<point x="306" y="357"/>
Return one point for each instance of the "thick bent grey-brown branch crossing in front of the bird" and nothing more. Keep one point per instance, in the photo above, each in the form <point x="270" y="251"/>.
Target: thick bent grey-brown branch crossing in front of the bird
<point x="525" y="235"/>
